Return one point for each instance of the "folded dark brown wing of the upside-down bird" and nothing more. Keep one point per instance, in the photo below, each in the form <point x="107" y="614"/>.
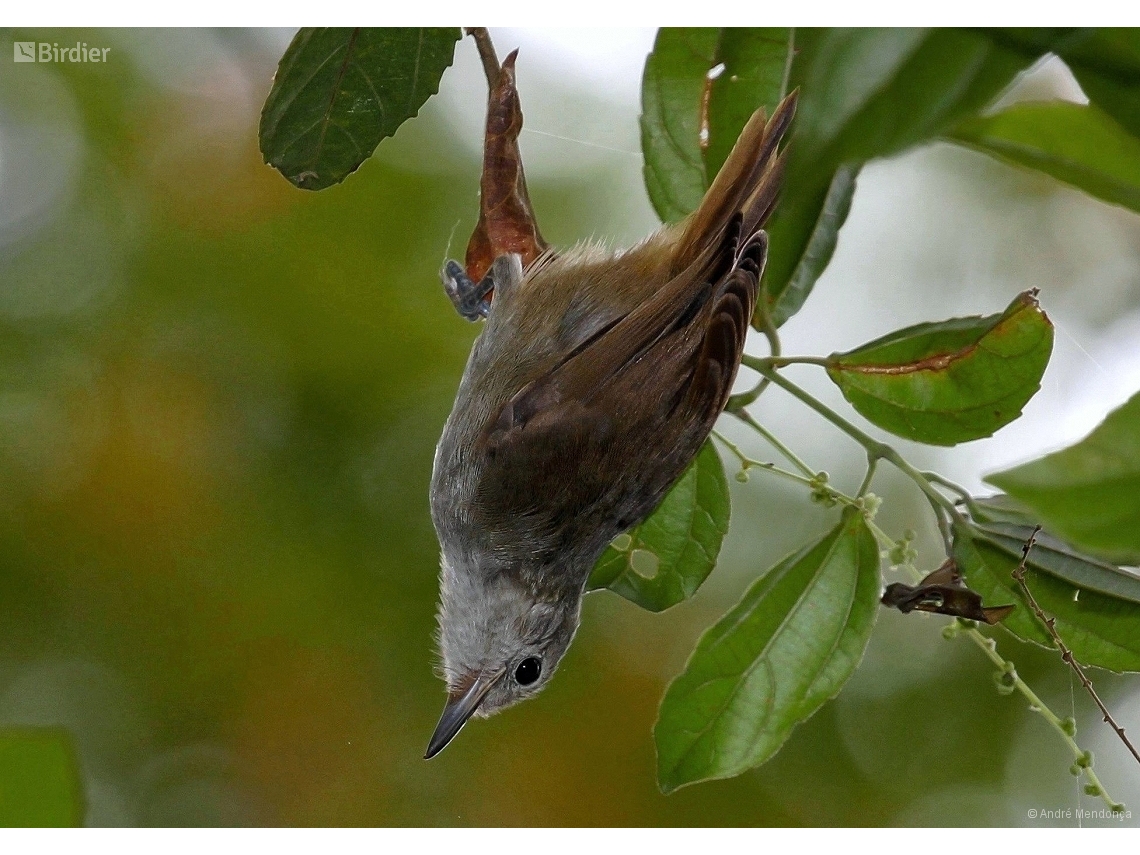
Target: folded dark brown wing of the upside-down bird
<point x="602" y="436"/>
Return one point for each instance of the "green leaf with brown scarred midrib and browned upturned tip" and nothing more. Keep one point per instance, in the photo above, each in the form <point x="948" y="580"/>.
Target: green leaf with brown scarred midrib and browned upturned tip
<point x="954" y="381"/>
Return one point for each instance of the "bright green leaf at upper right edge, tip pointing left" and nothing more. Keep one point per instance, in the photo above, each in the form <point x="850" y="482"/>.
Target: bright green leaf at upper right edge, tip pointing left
<point x="1076" y="144"/>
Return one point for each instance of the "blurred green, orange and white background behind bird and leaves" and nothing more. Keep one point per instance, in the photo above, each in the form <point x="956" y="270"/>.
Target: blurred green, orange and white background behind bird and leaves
<point x="219" y="401"/>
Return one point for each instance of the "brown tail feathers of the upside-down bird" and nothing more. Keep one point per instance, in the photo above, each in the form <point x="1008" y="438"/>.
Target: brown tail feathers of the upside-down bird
<point x="748" y="184"/>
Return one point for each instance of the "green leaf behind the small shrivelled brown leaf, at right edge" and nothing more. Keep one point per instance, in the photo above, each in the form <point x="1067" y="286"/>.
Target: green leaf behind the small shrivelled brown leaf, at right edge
<point x="1101" y="630"/>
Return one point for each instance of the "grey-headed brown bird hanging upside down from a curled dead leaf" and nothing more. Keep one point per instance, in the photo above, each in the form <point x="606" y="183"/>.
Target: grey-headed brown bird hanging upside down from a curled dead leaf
<point x="593" y="385"/>
